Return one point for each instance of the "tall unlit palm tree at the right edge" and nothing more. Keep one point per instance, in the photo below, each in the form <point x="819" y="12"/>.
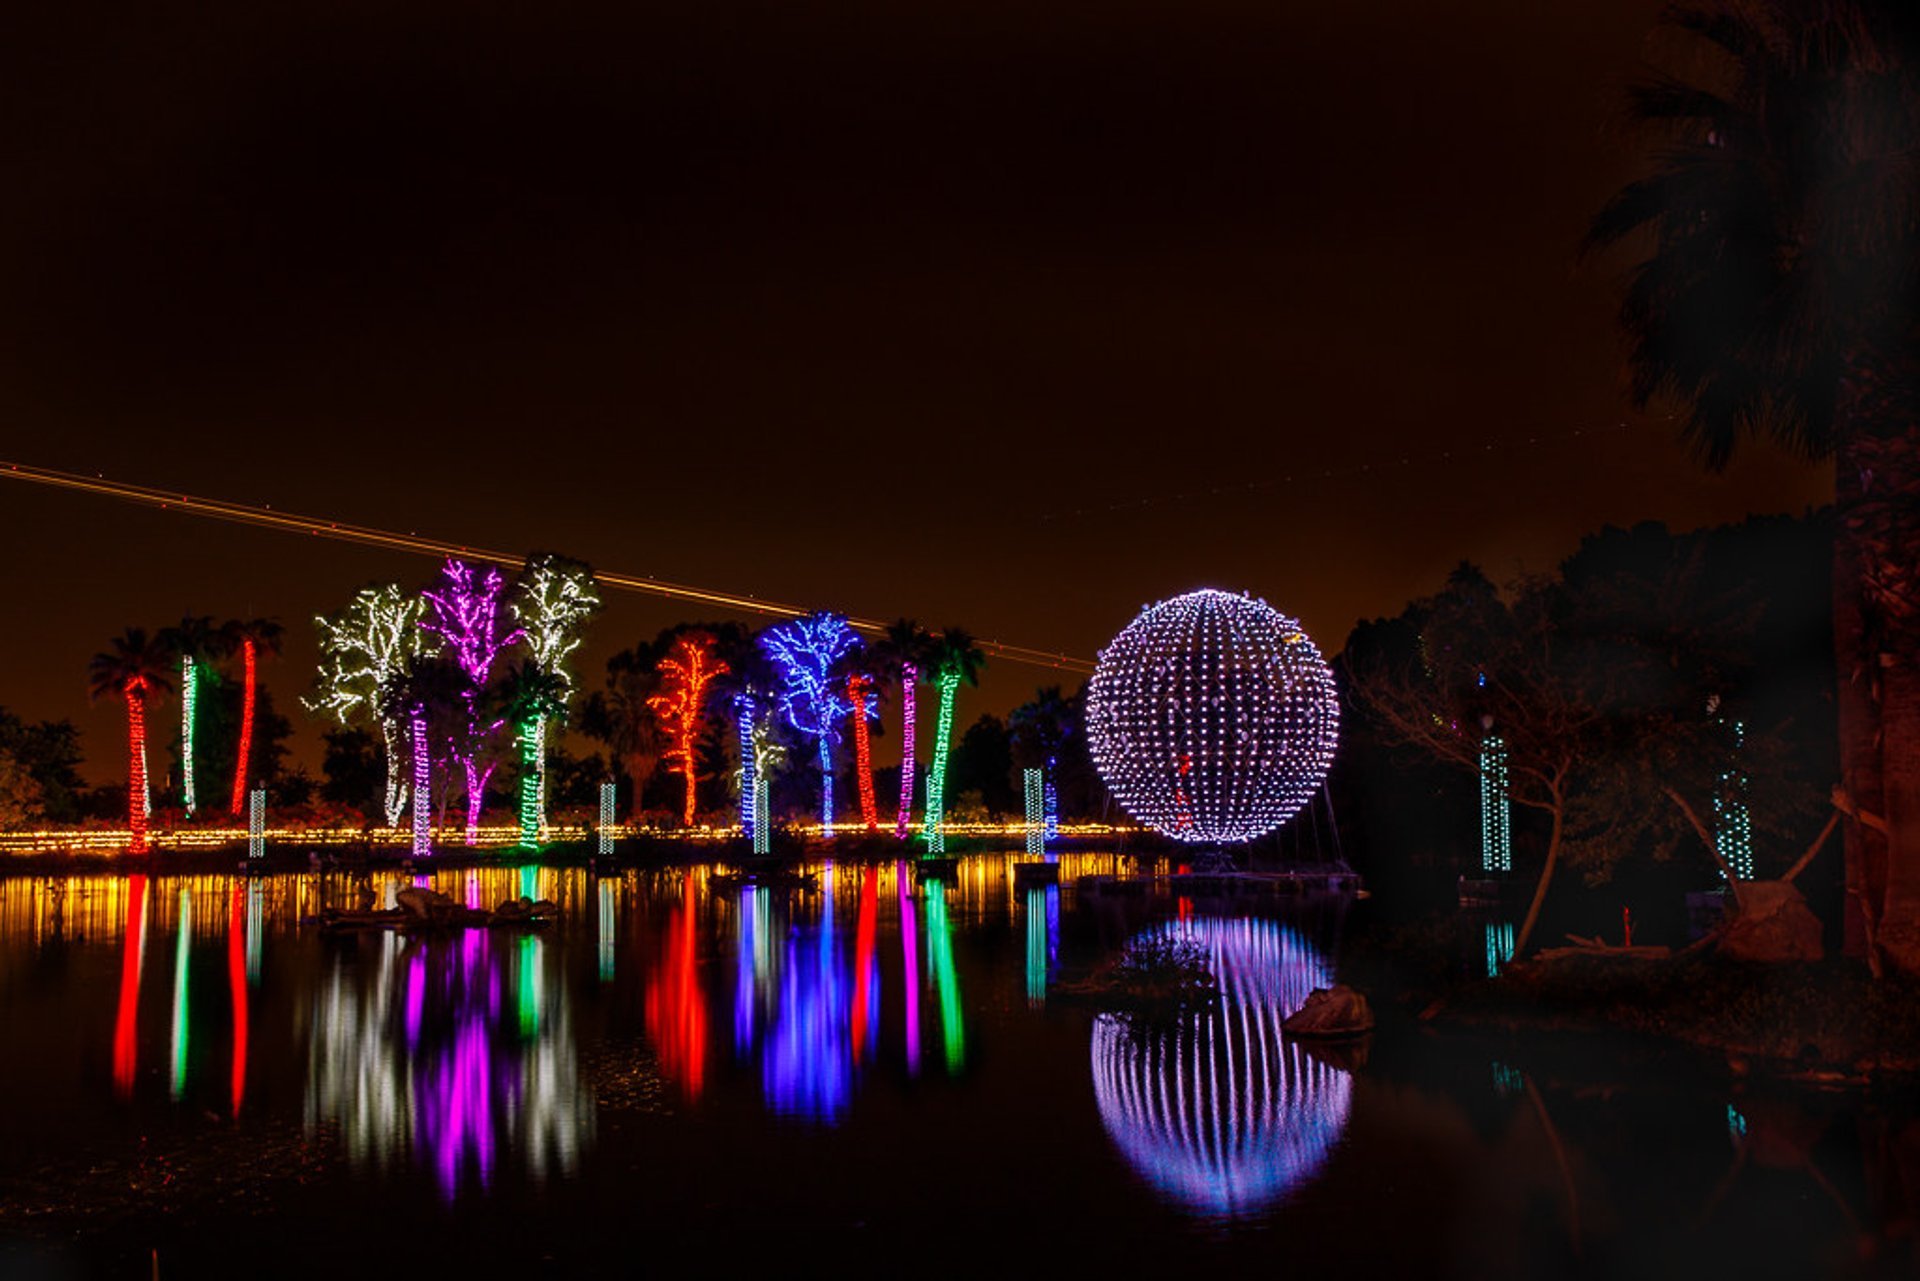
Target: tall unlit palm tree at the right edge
<point x="1779" y="299"/>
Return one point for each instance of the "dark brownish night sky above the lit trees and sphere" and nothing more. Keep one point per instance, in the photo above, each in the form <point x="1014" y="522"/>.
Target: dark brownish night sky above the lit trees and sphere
<point x="896" y="308"/>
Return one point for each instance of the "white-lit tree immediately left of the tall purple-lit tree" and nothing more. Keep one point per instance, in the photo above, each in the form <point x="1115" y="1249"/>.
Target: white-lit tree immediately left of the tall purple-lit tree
<point x="368" y="644"/>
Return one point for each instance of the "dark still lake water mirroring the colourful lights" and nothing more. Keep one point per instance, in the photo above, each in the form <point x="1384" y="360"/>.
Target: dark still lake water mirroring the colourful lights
<point x="871" y="1078"/>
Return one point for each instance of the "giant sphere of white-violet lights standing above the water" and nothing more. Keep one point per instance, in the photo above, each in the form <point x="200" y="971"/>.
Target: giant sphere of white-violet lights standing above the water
<point x="1212" y="717"/>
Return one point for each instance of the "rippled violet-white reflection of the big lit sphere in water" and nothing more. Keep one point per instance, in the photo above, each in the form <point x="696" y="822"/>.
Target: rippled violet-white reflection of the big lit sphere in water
<point x="1222" y="1113"/>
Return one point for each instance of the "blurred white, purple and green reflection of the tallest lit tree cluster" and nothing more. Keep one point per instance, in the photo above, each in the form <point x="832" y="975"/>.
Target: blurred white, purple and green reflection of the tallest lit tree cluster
<point x="446" y="1075"/>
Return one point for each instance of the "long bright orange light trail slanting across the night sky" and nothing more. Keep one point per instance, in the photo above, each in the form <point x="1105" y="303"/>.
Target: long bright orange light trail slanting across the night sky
<point x="341" y="531"/>
